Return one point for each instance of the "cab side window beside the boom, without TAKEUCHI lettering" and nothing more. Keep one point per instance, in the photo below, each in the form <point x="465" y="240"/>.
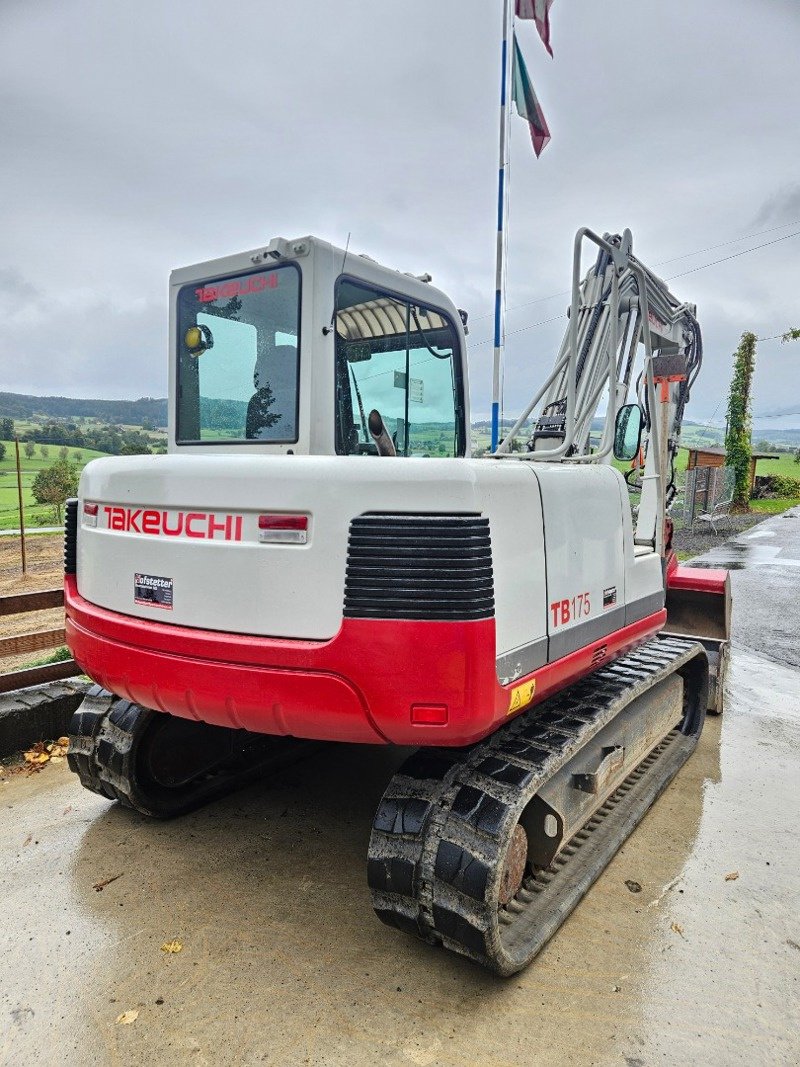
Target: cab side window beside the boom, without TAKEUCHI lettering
<point x="402" y="360"/>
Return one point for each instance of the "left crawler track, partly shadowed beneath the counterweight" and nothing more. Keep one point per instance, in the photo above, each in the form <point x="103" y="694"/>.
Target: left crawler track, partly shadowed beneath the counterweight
<point x="163" y="766"/>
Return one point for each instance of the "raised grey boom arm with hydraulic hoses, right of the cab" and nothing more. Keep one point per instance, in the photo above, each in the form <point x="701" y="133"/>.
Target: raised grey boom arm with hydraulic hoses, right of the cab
<point x="618" y="307"/>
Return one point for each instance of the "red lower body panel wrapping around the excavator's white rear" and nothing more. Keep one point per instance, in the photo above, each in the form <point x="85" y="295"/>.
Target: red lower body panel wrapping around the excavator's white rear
<point x="377" y="681"/>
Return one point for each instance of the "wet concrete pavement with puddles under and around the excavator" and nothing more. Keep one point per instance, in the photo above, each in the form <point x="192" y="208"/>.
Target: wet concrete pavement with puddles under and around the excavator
<point x="283" y="962"/>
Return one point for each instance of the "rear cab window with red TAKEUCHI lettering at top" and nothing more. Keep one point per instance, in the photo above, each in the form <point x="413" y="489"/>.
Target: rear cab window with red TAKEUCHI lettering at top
<point x="238" y="359"/>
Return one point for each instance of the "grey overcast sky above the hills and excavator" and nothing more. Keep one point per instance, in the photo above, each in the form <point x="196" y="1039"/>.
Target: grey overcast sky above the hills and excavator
<point x="140" y="137"/>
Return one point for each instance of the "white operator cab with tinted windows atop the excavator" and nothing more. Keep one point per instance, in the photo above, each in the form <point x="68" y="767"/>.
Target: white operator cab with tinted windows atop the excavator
<point x="306" y="349"/>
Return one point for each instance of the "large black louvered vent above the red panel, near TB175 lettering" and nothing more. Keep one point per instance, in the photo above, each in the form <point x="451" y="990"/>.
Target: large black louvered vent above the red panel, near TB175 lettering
<point x="420" y="567"/>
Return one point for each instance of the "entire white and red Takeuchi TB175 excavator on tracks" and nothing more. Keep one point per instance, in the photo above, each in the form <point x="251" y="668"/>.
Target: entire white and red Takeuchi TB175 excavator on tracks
<point x="319" y="556"/>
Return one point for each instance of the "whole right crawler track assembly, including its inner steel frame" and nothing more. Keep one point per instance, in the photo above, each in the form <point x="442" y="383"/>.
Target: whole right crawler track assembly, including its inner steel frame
<point x="487" y="850"/>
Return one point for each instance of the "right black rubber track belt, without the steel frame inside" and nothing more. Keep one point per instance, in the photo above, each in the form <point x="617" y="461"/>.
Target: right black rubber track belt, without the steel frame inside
<point x="445" y="821"/>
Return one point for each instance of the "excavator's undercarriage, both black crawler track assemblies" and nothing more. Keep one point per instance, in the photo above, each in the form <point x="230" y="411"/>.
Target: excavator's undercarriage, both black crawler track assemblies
<point x="484" y="850"/>
